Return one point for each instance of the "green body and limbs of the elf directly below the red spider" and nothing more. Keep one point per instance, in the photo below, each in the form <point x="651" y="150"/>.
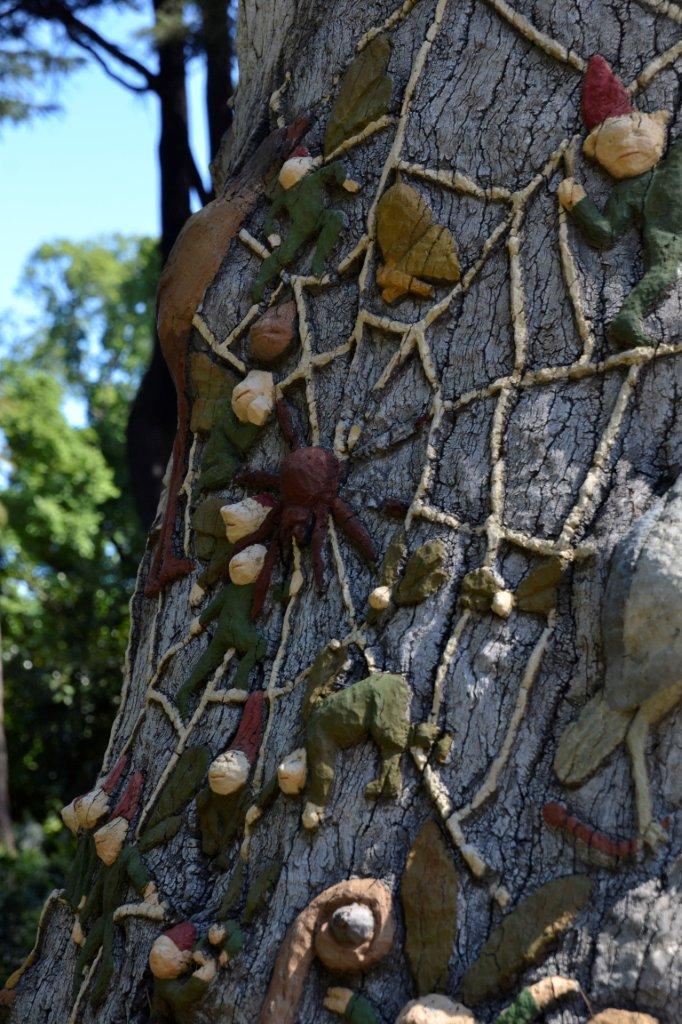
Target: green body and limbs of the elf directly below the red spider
<point x="232" y="607"/>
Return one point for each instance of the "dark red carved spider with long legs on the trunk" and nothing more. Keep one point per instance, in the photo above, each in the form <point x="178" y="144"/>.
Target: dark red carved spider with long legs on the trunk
<point x="309" y="483"/>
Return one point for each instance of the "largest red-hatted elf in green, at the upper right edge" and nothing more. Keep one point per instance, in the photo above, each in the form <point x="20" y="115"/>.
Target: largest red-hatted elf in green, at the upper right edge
<point x="630" y="146"/>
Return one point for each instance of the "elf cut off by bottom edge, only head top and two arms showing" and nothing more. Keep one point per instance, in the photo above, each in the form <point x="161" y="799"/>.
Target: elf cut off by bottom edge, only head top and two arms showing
<point x="527" y="1008"/>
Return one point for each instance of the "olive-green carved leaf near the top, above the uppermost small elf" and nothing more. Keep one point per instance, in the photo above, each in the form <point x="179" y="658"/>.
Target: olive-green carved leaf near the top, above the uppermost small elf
<point x="365" y="95"/>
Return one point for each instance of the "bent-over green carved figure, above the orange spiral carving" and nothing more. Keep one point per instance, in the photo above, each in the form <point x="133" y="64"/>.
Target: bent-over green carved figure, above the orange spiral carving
<point x="378" y="708"/>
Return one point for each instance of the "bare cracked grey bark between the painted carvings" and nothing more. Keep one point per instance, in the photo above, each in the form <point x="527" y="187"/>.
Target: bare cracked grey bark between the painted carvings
<point x="493" y="105"/>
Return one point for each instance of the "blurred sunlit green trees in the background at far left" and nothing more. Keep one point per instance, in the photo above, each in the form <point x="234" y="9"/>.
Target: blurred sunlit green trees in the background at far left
<point x="70" y="539"/>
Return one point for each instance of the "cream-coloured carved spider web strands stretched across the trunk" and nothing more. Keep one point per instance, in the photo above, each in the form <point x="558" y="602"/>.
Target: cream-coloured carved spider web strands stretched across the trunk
<point x="414" y="338"/>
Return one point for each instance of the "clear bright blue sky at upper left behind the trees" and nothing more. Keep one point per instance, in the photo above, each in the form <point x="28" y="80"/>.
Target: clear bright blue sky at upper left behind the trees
<point x="88" y="172"/>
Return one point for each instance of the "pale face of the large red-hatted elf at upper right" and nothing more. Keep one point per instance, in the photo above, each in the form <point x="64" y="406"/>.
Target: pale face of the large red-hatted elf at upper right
<point x="629" y="145"/>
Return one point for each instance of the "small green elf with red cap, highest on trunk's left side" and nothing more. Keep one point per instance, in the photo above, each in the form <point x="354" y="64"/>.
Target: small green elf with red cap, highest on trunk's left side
<point x="302" y="193"/>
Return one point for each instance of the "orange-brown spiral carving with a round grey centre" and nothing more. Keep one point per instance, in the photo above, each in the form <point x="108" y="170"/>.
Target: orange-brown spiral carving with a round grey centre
<point x="350" y="927"/>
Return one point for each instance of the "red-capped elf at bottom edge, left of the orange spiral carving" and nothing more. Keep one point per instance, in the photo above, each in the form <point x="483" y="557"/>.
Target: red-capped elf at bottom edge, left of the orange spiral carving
<point x="177" y="994"/>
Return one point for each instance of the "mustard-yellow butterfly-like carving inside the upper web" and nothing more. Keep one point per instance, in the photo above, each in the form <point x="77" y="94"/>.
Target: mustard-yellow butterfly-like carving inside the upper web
<point x="413" y="247"/>
